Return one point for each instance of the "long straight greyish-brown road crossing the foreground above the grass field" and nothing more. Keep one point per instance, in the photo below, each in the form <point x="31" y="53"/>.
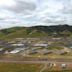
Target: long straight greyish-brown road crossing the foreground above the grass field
<point x="36" y="62"/>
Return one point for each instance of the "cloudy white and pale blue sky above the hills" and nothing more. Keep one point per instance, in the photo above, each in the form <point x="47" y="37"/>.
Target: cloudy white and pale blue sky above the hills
<point x="35" y="12"/>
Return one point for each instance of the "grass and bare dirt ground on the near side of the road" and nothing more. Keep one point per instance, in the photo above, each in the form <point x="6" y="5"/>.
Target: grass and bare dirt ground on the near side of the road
<point x="33" y="67"/>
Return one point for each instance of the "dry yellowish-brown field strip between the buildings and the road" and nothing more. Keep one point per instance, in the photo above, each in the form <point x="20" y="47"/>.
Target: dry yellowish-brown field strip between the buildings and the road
<point x="34" y="57"/>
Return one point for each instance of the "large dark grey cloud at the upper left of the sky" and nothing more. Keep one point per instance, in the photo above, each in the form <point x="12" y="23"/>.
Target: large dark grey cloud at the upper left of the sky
<point x="22" y="7"/>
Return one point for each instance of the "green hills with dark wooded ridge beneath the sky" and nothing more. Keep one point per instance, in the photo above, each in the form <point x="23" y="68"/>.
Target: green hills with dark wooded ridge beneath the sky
<point x="36" y="31"/>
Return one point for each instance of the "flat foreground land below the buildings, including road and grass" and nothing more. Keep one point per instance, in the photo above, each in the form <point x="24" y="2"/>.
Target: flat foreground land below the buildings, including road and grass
<point x="33" y="64"/>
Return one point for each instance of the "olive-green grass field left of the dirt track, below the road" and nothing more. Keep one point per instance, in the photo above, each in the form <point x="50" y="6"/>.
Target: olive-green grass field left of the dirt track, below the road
<point x="14" y="67"/>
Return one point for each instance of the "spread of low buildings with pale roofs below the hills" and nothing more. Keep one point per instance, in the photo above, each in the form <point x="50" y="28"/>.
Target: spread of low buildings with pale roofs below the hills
<point x="35" y="45"/>
